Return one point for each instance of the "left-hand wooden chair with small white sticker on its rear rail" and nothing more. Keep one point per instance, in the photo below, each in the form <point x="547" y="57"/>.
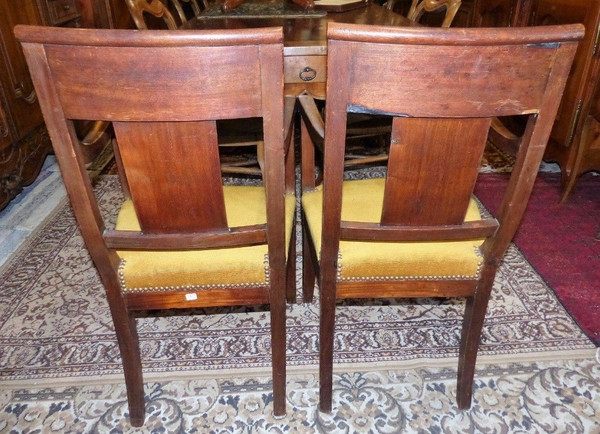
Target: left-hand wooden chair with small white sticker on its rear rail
<point x="181" y="240"/>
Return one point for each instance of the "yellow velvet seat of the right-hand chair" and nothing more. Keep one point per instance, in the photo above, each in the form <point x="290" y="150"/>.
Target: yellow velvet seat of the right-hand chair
<point x="360" y="260"/>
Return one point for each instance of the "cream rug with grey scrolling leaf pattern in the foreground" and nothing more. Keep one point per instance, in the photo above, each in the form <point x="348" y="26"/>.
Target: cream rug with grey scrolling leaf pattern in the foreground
<point x="542" y="397"/>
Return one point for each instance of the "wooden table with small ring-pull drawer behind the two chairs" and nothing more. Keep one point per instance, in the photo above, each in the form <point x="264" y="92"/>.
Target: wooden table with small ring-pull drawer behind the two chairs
<point x="305" y="41"/>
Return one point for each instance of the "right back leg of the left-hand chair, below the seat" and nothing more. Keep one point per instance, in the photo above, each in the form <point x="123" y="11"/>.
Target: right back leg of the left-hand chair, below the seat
<point x="278" y="307"/>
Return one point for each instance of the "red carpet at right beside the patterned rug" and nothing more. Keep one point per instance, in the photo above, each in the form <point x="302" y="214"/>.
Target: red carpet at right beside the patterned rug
<point x="562" y="241"/>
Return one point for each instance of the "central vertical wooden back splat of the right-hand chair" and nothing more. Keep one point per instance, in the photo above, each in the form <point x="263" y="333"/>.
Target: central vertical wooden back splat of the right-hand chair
<point x="422" y="152"/>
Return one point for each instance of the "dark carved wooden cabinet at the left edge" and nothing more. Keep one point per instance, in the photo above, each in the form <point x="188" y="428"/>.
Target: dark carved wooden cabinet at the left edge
<point x="24" y="142"/>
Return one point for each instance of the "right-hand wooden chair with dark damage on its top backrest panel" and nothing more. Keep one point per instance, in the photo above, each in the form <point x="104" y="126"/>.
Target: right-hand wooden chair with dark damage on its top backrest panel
<point x="418" y="232"/>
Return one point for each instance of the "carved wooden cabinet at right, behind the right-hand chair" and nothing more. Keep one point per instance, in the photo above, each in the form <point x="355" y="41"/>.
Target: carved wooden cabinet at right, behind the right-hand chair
<point x="575" y="139"/>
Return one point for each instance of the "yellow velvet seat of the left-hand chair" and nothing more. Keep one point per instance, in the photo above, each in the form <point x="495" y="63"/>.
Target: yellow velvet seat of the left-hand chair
<point x="200" y="269"/>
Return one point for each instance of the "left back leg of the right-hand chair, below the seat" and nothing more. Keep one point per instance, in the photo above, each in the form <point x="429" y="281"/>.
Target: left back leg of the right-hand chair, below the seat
<point x="326" y="331"/>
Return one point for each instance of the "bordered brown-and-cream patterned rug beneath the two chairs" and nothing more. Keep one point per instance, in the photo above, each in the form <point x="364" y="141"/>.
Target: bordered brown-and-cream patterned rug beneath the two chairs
<point x="55" y="327"/>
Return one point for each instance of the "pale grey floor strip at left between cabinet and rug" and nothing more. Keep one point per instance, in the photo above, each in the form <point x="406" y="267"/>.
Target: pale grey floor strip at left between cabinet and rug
<point x="20" y="218"/>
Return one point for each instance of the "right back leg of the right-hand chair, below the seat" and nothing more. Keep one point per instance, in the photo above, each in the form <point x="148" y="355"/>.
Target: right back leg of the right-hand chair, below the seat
<point x="475" y="310"/>
